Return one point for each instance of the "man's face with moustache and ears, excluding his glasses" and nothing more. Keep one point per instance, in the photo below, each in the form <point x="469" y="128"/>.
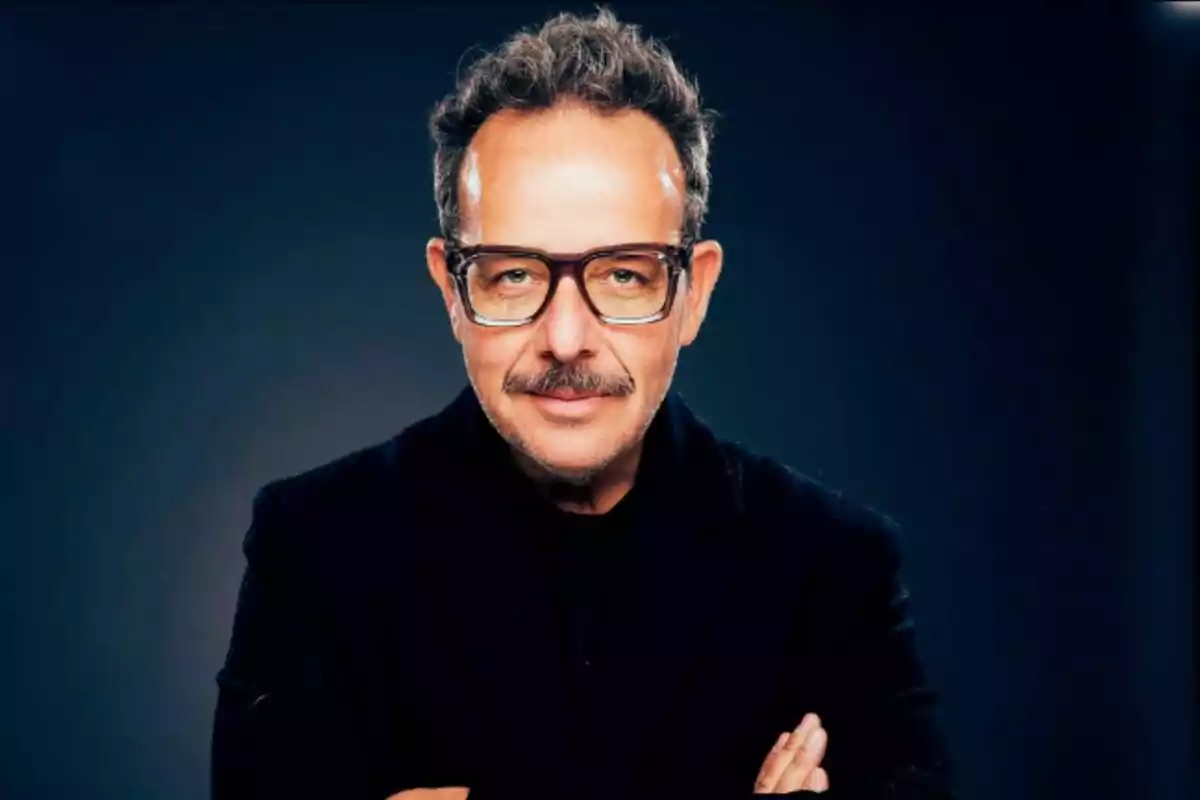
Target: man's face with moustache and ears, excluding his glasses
<point x="568" y="181"/>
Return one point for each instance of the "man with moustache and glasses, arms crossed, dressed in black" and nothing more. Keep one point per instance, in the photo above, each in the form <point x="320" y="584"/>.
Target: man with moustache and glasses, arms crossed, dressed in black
<point x="565" y="585"/>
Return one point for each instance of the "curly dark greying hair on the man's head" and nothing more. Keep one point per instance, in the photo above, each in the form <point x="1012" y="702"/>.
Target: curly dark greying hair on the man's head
<point x="598" y="61"/>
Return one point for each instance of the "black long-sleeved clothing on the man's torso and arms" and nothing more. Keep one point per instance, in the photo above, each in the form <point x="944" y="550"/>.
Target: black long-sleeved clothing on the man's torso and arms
<point x="399" y="627"/>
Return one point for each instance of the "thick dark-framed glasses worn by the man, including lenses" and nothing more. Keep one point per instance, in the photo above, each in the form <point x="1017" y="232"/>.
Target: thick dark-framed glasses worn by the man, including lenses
<point x="623" y="285"/>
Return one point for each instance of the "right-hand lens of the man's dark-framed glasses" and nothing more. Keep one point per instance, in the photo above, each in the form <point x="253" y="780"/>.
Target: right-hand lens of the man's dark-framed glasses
<point x="628" y="286"/>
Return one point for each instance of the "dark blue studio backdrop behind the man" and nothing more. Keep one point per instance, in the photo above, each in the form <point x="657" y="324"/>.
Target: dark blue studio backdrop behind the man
<point x="958" y="287"/>
